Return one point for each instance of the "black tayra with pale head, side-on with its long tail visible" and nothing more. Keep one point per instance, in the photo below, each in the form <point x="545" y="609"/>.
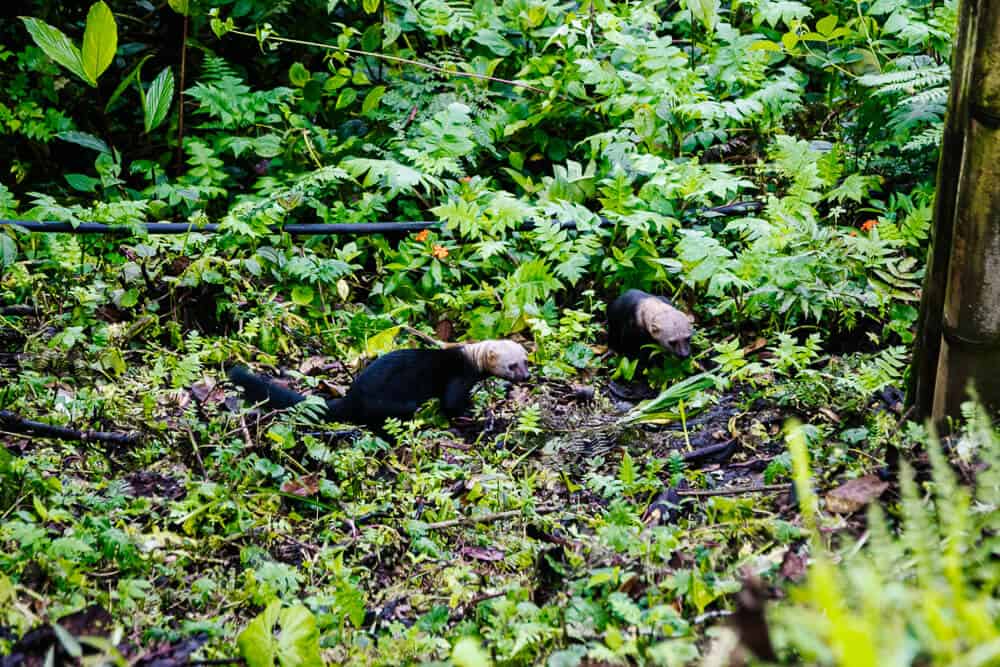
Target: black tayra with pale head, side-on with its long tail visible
<point x="398" y="383"/>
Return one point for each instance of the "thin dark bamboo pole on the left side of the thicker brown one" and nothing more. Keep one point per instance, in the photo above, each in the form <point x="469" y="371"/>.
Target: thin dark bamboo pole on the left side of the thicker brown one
<point x="927" y="347"/>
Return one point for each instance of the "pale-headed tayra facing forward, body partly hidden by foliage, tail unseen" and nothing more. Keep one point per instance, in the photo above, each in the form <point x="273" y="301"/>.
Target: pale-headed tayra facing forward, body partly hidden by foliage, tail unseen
<point x="636" y="319"/>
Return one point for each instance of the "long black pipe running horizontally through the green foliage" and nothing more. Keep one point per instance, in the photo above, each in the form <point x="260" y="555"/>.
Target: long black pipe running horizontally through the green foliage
<point x="310" y="229"/>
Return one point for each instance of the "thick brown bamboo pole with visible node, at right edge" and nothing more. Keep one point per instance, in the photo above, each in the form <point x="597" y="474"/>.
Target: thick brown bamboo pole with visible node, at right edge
<point x="970" y="332"/>
